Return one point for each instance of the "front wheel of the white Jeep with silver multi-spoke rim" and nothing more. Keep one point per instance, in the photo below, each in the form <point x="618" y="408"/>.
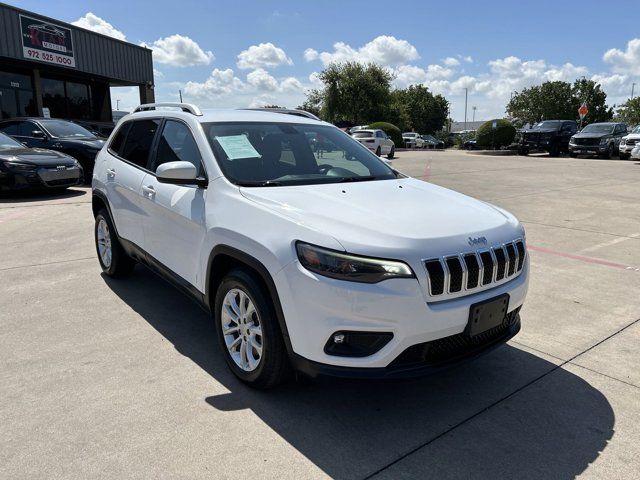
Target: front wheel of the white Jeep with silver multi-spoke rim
<point x="272" y="367"/>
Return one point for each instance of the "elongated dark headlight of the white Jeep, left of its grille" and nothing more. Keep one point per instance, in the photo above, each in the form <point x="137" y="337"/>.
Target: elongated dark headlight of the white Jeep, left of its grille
<point x="343" y="266"/>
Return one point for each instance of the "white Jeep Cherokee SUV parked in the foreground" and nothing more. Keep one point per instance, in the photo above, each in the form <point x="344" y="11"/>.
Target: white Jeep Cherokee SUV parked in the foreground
<point x="328" y="262"/>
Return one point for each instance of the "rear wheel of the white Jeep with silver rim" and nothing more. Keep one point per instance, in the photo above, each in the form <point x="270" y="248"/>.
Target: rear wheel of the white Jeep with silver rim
<point x="116" y="263"/>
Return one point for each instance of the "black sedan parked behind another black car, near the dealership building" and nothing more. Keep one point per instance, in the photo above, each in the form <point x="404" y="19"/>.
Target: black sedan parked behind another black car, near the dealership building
<point x="55" y="134"/>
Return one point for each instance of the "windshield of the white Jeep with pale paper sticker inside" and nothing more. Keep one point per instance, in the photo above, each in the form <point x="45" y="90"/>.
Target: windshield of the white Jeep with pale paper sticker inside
<point x="274" y="154"/>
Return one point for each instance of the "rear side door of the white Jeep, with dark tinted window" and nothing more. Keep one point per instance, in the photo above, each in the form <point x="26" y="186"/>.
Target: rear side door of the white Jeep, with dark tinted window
<point x="126" y="166"/>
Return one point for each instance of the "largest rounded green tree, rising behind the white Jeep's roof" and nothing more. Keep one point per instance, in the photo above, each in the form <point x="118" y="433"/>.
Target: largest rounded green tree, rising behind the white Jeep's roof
<point x="353" y="92"/>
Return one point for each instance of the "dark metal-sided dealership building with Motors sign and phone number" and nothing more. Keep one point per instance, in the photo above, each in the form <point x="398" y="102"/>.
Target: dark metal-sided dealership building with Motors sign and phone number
<point x="52" y="68"/>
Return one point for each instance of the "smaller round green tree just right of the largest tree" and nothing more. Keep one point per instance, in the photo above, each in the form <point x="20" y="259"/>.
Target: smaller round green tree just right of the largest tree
<point x="426" y="112"/>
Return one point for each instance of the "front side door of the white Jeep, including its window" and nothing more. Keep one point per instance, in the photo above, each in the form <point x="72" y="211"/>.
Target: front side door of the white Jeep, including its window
<point x="174" y="219"/>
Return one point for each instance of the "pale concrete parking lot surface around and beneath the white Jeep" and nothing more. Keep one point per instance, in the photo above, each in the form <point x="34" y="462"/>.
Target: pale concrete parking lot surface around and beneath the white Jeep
<point x="123" y="379"/>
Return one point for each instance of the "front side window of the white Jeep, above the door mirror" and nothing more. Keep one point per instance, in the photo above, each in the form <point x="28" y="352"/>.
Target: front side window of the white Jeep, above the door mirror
<point x="176" y="144"/>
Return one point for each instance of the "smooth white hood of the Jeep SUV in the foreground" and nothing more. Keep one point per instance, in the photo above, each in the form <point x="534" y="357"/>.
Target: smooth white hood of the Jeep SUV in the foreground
<point x="389" y="216"/>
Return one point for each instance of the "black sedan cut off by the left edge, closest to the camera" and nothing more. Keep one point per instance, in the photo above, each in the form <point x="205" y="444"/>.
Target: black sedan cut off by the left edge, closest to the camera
<point x="22" y="167"/>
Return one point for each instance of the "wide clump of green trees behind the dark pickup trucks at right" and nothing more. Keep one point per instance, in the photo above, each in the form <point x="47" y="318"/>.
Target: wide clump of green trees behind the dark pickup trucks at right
<point x="559" y="101"/>
